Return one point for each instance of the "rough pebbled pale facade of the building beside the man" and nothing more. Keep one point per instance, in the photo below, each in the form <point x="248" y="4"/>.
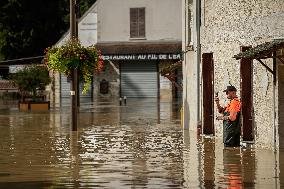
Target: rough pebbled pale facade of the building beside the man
<point x="226" y="26"/>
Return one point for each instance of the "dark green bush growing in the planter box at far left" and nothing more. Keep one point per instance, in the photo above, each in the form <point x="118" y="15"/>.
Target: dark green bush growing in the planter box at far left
<point x="31" y="79"/>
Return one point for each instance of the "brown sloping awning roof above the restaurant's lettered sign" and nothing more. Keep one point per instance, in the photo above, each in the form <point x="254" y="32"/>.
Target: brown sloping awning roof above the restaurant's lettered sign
<point x="121" y="48"/>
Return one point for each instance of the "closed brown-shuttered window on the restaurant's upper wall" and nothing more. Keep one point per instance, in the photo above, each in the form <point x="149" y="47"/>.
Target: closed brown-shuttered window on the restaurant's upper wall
<point x="137" y="22"/>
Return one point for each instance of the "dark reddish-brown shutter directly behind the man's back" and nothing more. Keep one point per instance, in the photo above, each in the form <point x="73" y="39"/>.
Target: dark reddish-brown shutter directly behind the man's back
<point x="246" y="96"/>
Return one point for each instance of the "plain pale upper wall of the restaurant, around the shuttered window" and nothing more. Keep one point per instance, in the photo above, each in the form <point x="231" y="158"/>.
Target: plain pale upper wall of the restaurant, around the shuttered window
<point x="163" y="19"/>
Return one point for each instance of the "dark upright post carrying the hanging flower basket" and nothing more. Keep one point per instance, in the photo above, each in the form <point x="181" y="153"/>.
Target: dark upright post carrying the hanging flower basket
<point x="74" y="72"/>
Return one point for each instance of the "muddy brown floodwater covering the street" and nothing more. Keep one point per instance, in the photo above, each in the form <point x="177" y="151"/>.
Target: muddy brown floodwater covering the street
<point x="137" y="145"/>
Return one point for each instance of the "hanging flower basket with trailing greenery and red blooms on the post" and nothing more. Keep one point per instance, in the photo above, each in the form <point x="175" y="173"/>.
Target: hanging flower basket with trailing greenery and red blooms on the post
<point x="73" y="55"/>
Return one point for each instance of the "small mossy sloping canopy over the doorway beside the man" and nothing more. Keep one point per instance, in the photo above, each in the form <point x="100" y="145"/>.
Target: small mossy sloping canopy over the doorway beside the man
<point x="262" y="51"/>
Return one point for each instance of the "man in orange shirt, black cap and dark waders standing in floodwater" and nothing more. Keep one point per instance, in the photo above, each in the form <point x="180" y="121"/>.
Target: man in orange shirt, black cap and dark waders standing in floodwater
<point x="231" y="118"/>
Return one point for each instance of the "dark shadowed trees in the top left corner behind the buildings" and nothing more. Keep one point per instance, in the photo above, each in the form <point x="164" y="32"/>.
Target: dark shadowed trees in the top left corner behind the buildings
<point x="27" y="27"/>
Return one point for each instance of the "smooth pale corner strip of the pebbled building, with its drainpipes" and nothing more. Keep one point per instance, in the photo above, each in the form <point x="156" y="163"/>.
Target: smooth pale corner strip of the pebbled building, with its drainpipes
<point x="192" y="36"/>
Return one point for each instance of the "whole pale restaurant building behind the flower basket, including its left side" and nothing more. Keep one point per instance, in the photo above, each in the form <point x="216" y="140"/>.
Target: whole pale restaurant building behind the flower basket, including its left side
<point x="136" y="38"/>
